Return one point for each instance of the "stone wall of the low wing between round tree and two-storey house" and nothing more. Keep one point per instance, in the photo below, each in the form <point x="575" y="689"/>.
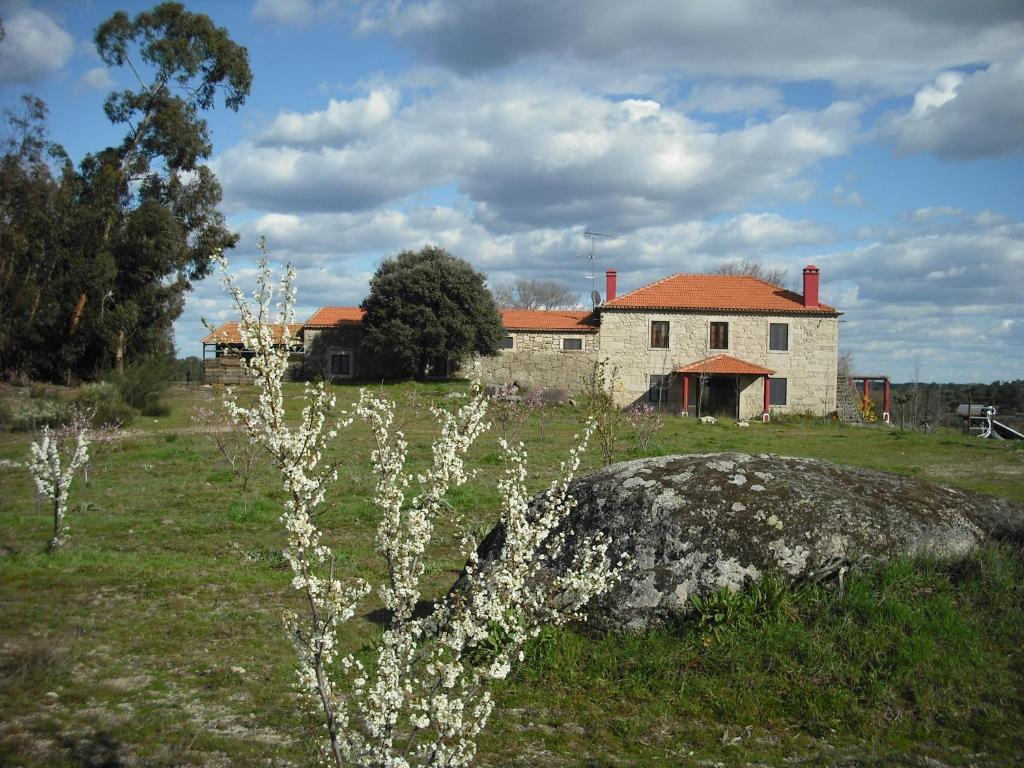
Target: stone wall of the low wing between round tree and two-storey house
<point x="537" y="360"/>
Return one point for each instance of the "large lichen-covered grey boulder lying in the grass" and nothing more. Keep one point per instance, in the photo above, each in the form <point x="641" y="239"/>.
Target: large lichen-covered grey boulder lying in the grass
<point x="695" y="525"/>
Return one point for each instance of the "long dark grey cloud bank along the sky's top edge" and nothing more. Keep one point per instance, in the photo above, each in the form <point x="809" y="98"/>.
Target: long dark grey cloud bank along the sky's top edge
<point x="890" y="46"/>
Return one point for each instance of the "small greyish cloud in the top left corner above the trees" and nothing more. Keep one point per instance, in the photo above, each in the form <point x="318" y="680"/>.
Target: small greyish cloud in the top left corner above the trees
<point x="35" y="46"/>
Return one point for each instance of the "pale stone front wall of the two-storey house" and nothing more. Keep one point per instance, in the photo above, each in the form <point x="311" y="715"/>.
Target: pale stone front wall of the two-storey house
<point x="809" y="366"/>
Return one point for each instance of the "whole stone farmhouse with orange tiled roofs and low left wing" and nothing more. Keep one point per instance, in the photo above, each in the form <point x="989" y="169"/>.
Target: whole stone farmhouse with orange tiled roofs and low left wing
<point x="688" y="345"/>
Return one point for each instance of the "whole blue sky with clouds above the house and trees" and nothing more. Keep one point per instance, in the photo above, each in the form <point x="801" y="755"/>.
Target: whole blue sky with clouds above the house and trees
<point x="886" y="145"/>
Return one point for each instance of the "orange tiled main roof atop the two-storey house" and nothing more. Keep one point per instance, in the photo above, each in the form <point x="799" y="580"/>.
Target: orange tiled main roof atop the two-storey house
<point x="715" y="292"/>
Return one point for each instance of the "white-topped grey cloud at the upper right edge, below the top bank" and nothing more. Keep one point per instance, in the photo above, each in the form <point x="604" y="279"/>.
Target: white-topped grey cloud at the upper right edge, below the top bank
<point x="965" y="116"/>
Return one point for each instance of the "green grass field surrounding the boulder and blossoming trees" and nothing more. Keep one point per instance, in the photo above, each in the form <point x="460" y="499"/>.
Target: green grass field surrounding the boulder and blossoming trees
<point x="155" y="636"/>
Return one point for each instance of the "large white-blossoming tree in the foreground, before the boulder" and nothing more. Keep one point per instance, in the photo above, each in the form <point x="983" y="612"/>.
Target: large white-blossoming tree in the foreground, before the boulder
<point x="424" y="700"/>
